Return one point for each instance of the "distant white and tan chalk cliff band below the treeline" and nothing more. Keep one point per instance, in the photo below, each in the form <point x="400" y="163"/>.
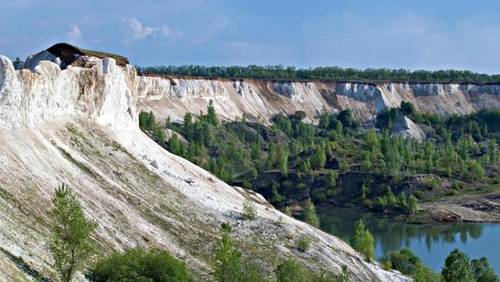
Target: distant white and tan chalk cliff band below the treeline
<point x="262" y="99"/>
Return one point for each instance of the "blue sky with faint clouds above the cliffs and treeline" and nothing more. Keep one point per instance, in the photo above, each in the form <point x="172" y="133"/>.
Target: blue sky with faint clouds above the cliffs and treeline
<point x="438" y="34"/>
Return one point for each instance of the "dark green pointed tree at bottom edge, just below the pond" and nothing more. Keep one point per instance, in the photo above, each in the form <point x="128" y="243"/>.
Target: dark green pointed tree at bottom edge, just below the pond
<point x="457" y="268"/>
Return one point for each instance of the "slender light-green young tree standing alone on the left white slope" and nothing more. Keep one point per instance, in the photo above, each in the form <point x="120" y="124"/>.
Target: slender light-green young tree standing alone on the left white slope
<point x="70" y="245"/>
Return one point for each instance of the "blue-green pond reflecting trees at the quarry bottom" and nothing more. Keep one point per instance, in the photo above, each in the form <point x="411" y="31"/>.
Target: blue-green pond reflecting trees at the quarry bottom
<point x="431" y="242"/>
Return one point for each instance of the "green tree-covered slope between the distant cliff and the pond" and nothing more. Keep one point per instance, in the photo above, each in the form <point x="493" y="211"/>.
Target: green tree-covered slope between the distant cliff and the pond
<point x="340" y="162"/>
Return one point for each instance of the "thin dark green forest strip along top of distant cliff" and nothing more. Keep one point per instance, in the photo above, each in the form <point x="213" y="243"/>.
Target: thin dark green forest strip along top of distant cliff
<point x="280" y="72"/>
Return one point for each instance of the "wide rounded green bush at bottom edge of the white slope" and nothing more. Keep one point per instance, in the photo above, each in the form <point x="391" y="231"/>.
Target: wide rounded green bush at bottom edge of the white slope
<point x="140" y="265"/>
